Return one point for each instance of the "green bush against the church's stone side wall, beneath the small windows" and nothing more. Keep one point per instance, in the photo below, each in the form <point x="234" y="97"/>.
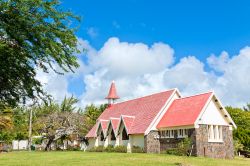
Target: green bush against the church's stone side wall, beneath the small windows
<point x="182" y="148"/>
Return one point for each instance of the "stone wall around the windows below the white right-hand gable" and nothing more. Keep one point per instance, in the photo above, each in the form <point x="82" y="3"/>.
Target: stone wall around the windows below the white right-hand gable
<point x="214" y="149"/>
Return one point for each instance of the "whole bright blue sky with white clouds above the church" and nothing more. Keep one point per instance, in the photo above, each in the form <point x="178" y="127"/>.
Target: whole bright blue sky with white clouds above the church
<point x="151" y="46"/>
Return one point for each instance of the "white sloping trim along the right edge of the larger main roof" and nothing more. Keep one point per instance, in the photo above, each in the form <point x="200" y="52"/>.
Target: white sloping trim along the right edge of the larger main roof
<point x="162" y="111"/>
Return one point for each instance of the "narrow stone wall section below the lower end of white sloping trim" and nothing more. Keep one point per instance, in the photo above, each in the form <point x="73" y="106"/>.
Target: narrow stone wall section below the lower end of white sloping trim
<point x="151" y="142"/>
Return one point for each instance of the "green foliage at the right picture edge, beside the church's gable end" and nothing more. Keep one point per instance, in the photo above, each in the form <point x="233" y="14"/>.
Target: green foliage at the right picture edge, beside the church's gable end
<point x="241" y="117"/>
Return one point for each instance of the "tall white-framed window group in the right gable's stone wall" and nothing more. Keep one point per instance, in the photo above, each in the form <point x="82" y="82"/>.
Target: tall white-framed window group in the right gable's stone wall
<point x="215" y="133"/>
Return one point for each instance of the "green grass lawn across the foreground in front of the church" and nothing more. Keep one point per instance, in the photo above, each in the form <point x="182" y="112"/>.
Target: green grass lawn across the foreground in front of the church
<point x="102" y="159"/>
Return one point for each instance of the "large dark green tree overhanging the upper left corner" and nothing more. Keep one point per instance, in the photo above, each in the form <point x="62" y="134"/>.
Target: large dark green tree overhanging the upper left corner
<point x="33" y="34"/>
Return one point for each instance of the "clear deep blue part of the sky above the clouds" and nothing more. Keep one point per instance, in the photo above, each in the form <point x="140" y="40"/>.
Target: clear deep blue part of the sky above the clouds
<point x="191" y="27"/>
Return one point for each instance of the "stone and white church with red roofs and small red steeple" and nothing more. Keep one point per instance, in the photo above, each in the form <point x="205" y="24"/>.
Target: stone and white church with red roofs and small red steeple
<point x="160" y="121"/>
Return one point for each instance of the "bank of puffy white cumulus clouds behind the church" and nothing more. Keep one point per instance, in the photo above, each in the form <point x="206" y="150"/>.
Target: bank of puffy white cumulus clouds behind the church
<point x="139" y="69"/>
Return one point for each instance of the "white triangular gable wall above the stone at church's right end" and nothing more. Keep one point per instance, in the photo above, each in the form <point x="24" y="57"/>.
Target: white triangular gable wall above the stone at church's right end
<point x="213" y="115"/>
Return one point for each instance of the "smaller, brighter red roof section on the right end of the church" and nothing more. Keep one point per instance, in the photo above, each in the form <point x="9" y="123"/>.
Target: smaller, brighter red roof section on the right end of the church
<point x="184" y="111"/>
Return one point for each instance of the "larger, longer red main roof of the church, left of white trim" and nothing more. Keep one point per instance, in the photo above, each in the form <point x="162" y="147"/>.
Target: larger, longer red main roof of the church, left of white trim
<point x="143" y="109"/>
